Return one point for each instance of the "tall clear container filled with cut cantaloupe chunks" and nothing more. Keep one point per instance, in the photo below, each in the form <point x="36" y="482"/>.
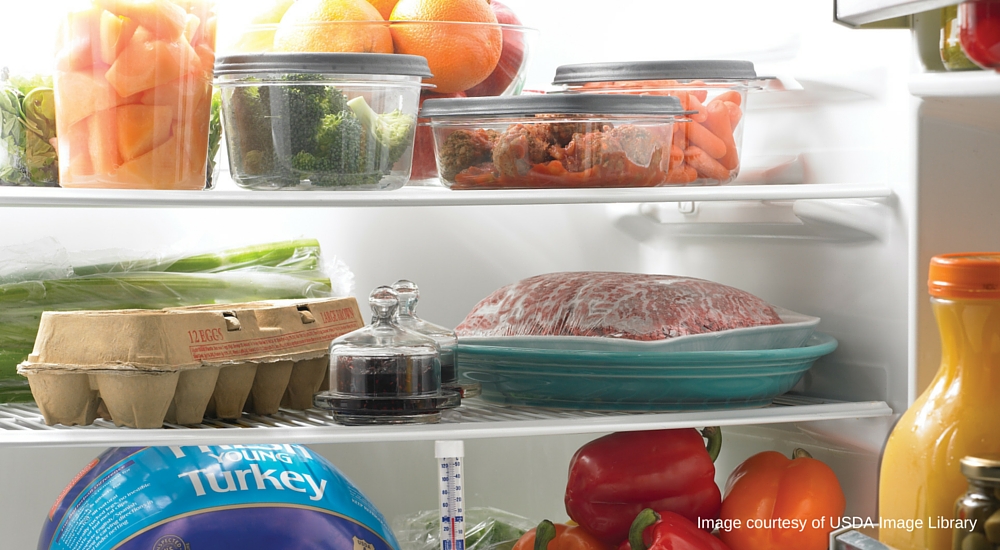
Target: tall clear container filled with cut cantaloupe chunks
<point x="133" y="93"/>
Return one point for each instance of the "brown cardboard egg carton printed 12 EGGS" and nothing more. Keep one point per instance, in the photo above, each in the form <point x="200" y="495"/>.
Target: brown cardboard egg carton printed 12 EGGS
<point x="180" y="365"/>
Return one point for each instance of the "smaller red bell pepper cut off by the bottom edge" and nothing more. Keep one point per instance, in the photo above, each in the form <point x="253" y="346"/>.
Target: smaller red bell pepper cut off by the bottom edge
<point x="668" y="531"/>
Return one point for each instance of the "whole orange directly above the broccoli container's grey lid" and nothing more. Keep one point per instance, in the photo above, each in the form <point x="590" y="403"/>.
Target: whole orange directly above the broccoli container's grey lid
<point x="317" y="26"/>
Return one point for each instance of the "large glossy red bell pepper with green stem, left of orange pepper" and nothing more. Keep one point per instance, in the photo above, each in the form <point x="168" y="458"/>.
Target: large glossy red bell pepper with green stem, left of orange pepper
<point x="613" y="478"/>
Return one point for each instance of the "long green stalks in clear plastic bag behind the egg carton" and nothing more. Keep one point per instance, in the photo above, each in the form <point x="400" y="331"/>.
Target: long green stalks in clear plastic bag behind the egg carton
<point x="31" y="283"/>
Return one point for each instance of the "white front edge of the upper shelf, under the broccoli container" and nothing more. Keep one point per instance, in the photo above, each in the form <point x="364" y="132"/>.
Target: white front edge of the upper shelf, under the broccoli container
<point x="424" y="196"/>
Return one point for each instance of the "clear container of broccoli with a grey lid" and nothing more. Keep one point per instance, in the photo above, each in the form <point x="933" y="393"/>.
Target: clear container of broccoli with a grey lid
<point x="320" y="120"/>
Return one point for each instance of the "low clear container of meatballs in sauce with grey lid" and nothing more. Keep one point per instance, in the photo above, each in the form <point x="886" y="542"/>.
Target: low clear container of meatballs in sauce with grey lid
<point x="554" y="141"/>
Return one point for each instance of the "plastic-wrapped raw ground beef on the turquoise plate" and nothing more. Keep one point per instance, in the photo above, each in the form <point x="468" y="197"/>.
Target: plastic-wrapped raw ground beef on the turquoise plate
<point x="615" y="305"/>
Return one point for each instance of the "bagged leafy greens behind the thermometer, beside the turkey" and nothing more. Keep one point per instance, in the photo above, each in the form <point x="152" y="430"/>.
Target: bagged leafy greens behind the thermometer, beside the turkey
<point x="485" y="529"/>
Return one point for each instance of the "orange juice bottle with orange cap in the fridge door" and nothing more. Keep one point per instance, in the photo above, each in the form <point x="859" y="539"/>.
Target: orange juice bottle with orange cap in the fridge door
<point x="957" y="416"/>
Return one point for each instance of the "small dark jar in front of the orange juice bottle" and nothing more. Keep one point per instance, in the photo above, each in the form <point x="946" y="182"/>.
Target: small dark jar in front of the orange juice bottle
<point x="978" y="511"/>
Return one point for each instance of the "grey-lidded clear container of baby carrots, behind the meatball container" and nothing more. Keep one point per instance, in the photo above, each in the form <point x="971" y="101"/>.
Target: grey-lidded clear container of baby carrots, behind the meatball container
<point x="708" y="149"/>
